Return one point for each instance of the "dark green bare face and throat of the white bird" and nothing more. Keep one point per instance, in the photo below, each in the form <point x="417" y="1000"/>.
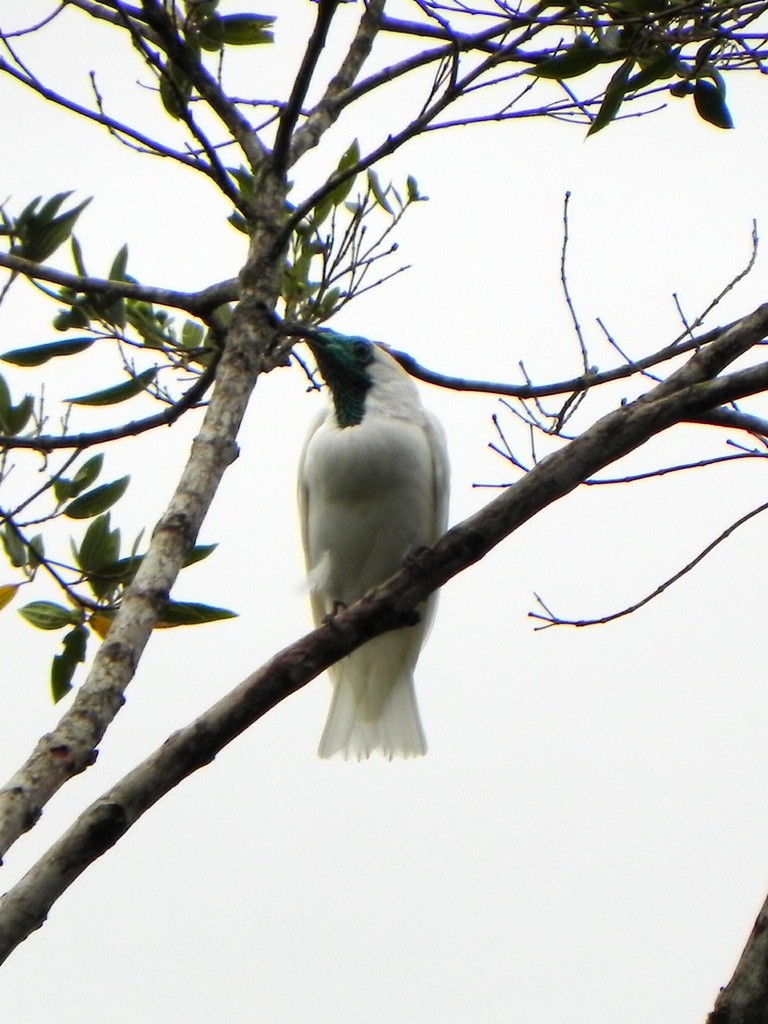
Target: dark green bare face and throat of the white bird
<point x="346" y="362"/>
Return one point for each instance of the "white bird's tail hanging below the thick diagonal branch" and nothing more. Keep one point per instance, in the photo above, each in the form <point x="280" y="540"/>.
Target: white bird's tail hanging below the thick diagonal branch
<point x="374" y="703"/>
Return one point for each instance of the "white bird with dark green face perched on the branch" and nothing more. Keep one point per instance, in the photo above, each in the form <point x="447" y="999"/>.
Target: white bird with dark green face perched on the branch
<point x="373" y="488"/>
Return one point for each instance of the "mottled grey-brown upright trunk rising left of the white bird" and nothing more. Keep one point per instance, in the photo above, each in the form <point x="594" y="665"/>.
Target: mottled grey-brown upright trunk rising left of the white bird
<point x="250" y="351"/>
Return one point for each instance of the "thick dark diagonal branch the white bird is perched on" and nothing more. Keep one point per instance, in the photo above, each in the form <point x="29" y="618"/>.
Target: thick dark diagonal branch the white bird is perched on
<point x="25" y="907"/>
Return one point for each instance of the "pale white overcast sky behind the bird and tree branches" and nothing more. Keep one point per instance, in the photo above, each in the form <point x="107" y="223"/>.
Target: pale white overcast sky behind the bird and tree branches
<point x="586" y="839"/>
